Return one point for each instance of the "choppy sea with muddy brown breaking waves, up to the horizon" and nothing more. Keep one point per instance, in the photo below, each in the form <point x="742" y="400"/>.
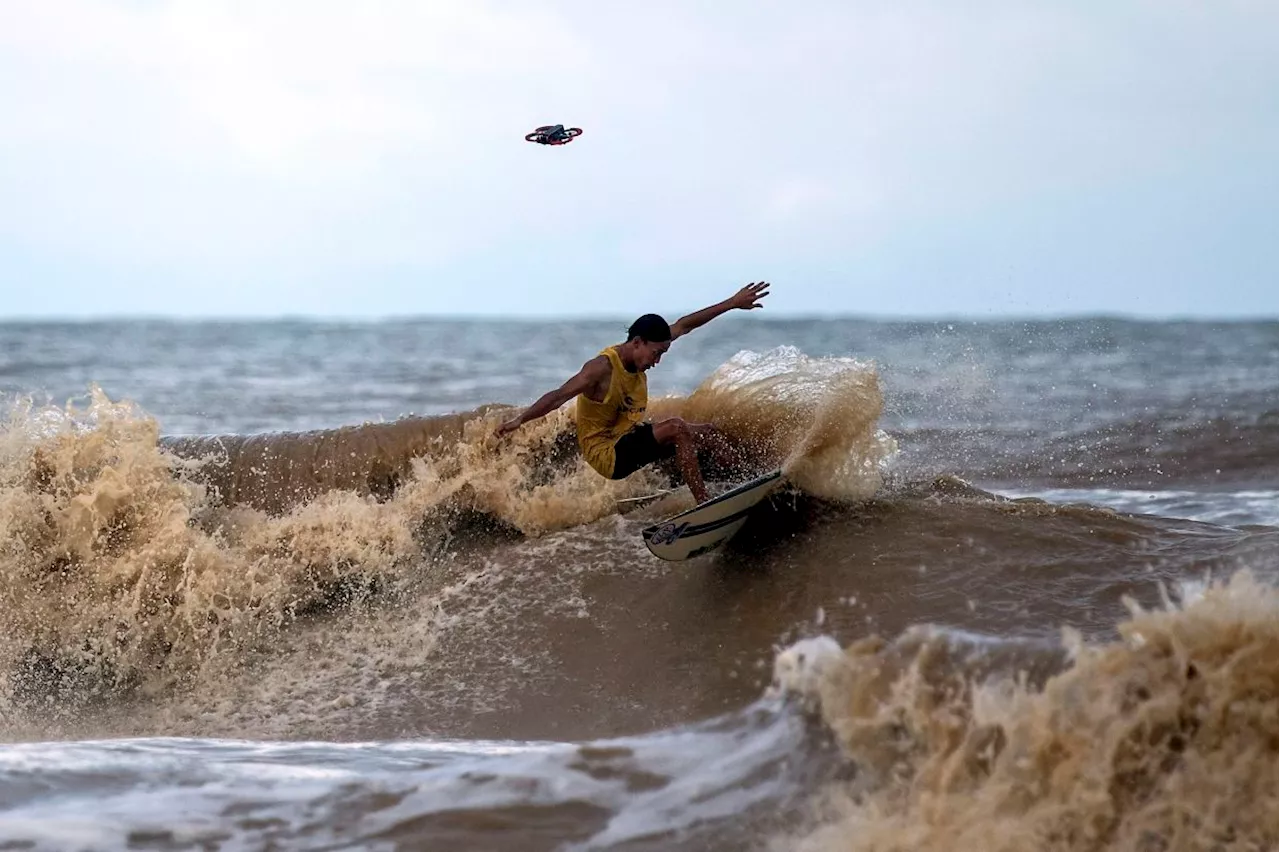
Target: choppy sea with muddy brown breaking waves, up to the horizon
<point x="276" y="585"/>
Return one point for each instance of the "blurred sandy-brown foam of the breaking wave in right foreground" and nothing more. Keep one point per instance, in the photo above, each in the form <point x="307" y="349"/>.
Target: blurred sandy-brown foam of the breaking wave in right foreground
<point x="1164" y="739"/>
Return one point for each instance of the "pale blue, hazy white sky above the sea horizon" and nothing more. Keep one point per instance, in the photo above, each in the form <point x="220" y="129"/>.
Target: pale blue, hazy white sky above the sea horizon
<point x="870" y="158"/>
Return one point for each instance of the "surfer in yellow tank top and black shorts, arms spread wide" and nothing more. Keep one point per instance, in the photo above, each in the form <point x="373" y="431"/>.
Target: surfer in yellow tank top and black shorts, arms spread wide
<point x="612" y="395"/>
